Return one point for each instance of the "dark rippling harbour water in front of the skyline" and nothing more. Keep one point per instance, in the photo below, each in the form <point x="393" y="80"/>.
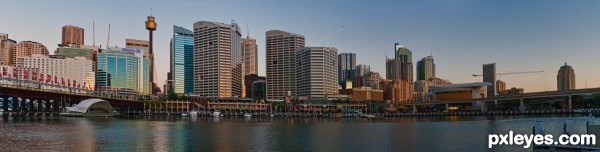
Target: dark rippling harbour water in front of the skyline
<point x="164" y="133"/>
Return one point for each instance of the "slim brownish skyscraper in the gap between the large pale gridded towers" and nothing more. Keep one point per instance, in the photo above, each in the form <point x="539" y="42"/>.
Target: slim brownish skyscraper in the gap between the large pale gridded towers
<point x="250" y="48"/>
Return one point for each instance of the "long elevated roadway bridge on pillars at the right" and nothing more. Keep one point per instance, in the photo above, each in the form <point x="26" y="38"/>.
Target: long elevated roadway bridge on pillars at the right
<point x="521" y="97"/>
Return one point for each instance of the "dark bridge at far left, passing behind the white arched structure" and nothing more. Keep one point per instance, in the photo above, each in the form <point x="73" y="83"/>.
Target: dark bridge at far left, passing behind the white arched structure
<point x="26" y="99"/>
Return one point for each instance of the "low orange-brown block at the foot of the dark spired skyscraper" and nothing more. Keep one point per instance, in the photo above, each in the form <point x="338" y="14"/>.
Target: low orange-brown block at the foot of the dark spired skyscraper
<point x="397" y="91"/>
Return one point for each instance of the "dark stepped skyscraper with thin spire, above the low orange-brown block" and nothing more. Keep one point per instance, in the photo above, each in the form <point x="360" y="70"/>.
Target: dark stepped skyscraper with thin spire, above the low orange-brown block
<point x="400" y="68"/>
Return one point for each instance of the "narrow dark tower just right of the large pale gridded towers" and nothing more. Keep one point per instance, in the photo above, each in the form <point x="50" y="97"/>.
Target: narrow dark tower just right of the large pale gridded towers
<point x="346" y="67"/>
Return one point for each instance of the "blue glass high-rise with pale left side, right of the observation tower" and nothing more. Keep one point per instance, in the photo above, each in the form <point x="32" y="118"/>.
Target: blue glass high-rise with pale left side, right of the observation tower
<point x="182" y="61"/>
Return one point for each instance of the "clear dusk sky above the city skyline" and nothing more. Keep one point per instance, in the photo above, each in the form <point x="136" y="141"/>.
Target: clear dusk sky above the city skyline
<point x="462" y="35"/>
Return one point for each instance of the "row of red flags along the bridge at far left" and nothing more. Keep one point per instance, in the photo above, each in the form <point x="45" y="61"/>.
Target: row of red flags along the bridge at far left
<point x="47" y="79"/>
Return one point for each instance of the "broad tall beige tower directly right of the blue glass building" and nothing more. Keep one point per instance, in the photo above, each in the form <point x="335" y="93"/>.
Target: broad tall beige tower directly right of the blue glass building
<point x="217" y="59"/>
